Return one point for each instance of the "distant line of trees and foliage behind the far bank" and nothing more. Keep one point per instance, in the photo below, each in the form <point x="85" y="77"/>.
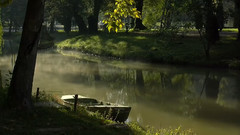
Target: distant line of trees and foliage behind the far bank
<point x="157" y="14"/>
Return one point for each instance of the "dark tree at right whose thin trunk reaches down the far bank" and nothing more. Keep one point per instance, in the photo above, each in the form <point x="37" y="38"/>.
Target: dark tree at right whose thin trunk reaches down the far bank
<point x="204" y="16"/>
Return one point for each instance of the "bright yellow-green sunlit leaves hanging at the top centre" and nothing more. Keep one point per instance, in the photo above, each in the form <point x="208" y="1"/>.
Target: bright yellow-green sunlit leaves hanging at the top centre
<point x="123" y="9"/>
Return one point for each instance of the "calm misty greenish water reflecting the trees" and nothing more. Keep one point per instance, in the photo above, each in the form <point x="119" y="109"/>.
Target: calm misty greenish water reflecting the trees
<point x="205" y="100"/>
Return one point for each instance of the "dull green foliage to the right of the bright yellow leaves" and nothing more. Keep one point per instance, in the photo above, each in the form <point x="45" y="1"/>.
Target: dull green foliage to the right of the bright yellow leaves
<point x="164" y="14"/>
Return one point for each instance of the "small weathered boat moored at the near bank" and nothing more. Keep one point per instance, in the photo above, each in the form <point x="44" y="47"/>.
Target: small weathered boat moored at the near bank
<point x="113" y="111"/>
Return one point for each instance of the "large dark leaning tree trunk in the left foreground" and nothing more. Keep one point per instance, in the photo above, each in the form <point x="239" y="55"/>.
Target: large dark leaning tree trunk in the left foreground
<point x="20" y="91"/>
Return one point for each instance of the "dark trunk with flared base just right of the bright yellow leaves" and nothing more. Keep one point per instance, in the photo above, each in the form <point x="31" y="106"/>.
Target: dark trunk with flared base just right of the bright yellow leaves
<point x="139" y="25"/>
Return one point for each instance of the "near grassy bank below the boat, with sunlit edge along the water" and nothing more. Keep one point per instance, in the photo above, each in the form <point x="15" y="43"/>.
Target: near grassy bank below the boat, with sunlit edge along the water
<point x="51" y="120"/>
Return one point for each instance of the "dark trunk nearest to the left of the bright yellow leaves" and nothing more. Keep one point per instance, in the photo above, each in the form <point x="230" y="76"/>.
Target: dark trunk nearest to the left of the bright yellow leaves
<point x="93" y="20"/>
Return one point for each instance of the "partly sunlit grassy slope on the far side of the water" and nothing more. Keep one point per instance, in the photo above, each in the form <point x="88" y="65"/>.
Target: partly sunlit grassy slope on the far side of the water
<point x="154" y="48"/>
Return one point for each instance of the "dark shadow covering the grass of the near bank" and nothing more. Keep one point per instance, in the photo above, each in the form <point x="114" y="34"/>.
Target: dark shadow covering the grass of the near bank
<point x="54" y="121"/>
